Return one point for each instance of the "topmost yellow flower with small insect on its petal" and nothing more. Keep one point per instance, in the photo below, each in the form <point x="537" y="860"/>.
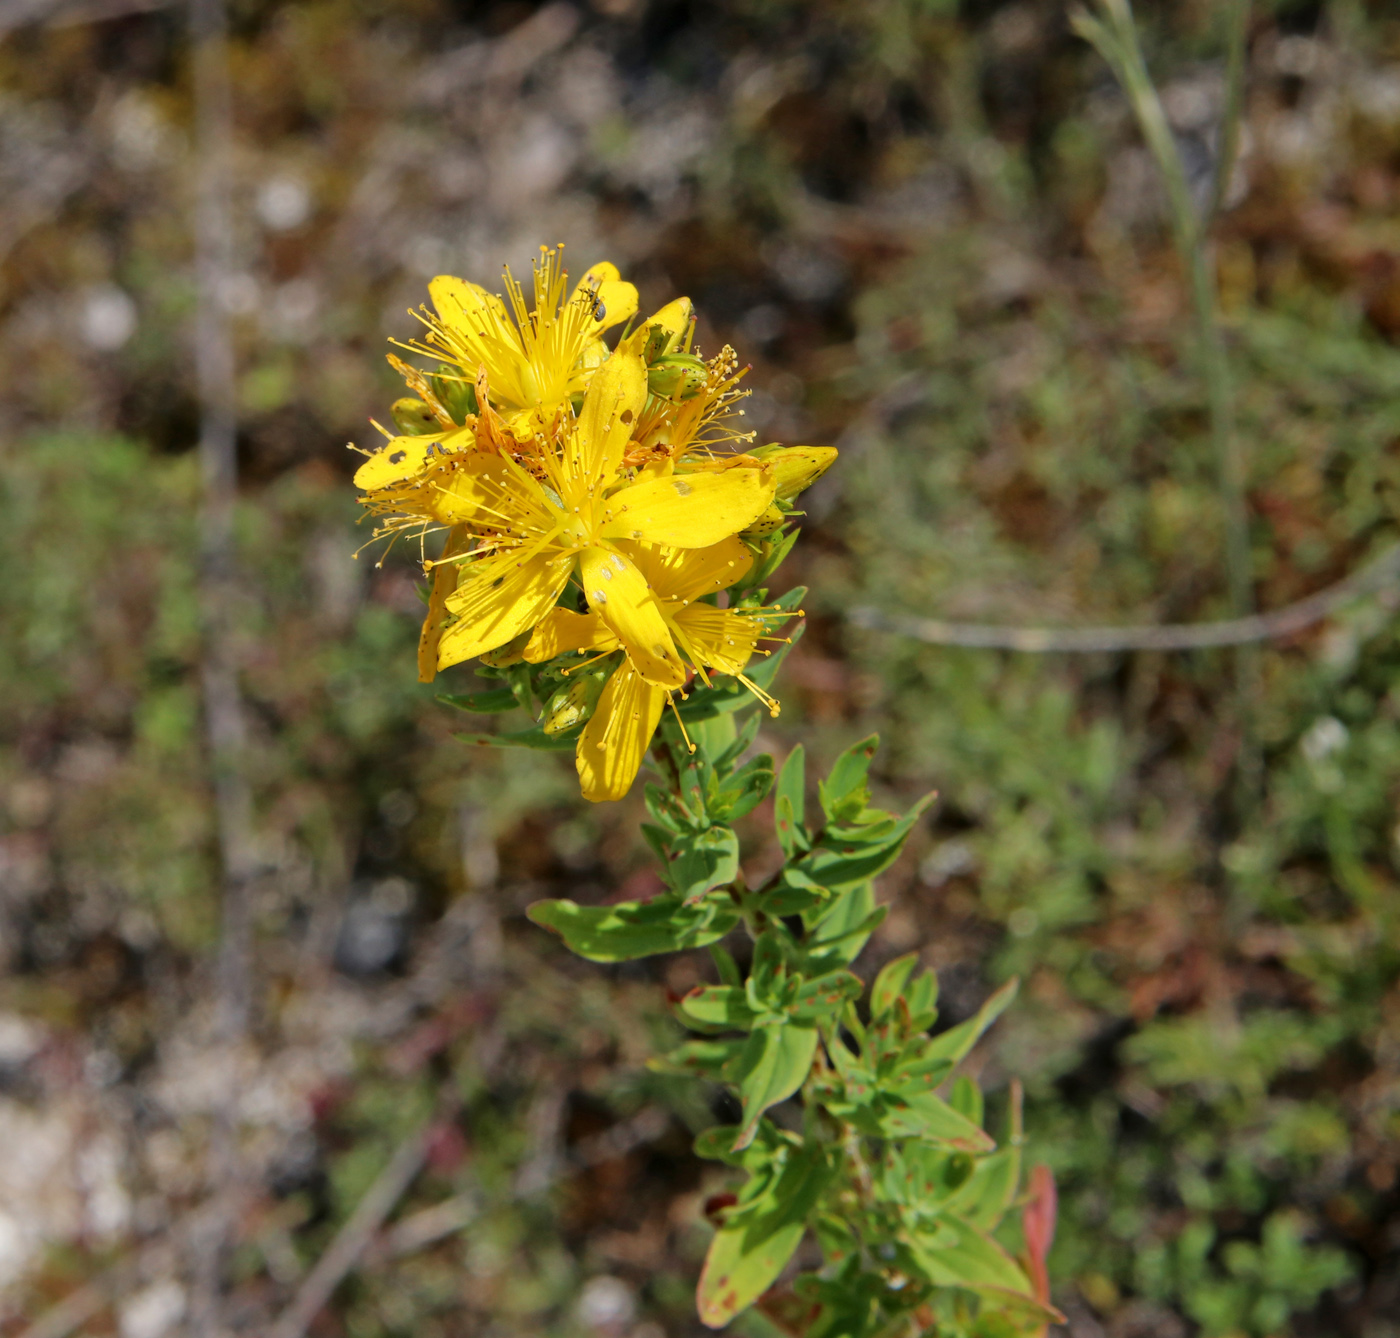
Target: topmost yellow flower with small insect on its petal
<point x="538" y="358"/>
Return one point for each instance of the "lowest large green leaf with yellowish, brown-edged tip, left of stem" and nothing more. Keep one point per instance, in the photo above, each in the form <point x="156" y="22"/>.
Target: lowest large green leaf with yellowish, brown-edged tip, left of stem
<point x="748" y="1255"/>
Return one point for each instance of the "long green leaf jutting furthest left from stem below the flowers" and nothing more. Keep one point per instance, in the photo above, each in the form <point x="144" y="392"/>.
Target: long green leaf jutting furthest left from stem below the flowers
<point x="636" y="929"/>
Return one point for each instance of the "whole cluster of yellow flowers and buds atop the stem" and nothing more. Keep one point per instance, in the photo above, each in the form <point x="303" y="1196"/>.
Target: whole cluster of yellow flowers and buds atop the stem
<point x="597" y="503"/>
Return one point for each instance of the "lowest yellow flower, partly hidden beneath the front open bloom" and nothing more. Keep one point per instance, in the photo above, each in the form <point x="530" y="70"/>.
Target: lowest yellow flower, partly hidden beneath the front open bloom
<point x="722" y="640"/>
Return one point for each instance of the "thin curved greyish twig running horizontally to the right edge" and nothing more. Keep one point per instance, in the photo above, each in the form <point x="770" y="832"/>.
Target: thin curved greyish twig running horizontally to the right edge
<point x="1282" y="624"/>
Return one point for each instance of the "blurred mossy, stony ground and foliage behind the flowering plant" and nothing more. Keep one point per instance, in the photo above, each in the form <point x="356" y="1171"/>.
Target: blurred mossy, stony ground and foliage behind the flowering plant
<point x="934" y="233"/>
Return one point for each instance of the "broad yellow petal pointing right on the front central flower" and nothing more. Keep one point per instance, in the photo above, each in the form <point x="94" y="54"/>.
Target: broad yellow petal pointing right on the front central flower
<point x="689" y="512"/>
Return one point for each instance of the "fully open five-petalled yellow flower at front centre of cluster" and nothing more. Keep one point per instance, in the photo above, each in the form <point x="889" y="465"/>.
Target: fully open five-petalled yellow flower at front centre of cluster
<point x="552" y="513"/>
